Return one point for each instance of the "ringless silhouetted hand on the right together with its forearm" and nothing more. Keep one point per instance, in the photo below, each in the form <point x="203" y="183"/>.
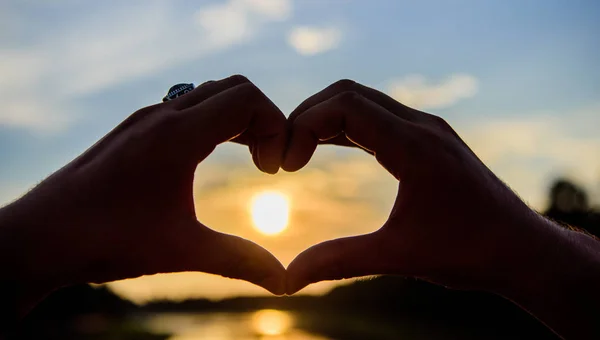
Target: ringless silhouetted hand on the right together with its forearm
<point x="454" y="222"/>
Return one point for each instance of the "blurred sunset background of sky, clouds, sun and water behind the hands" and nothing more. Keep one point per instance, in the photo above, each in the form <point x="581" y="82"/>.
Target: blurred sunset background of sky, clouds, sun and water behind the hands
<point x="518" y="80"/>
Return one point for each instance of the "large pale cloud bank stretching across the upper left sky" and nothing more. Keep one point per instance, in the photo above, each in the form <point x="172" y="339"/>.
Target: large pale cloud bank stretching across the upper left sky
<point x="118" y="44"/>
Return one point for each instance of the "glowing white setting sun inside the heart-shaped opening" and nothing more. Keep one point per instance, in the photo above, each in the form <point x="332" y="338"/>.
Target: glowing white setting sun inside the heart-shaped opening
<point x="270" y="212"/>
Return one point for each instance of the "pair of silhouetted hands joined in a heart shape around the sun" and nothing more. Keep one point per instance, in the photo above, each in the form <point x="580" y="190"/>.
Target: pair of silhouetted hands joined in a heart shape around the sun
<point x="130" y="195"/>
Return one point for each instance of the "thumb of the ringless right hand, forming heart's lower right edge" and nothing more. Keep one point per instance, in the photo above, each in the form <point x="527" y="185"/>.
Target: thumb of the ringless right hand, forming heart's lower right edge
<point x="336" y="259"/>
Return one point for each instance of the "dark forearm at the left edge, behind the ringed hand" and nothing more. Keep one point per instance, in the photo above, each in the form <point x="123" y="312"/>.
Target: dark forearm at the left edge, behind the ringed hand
<point x="31" y="266"/>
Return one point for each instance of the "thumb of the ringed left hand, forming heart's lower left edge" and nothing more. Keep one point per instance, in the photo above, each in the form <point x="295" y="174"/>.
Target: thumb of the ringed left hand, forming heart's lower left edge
<point x="205" y="250"/>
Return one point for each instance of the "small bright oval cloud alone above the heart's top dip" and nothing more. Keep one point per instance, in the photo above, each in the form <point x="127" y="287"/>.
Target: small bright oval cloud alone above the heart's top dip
<point x="308" y="40"/>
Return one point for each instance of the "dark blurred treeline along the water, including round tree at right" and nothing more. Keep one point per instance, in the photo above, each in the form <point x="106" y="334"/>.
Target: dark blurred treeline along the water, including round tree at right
<point x="375" y="308"/>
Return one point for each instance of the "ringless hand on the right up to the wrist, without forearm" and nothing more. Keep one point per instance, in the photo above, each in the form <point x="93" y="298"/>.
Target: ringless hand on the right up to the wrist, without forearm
<point x="454" y="222"/>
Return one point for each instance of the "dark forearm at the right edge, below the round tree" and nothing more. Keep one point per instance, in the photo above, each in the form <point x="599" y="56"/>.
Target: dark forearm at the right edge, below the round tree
<point x="558" y="281"/>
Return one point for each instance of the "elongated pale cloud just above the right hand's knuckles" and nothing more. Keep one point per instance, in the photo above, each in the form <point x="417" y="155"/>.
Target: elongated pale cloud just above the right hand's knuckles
<point x="416" y="91"/>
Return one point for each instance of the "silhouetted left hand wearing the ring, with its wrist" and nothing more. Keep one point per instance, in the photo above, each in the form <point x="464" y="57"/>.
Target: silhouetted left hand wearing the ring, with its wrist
<point x="125" y="208"/>
